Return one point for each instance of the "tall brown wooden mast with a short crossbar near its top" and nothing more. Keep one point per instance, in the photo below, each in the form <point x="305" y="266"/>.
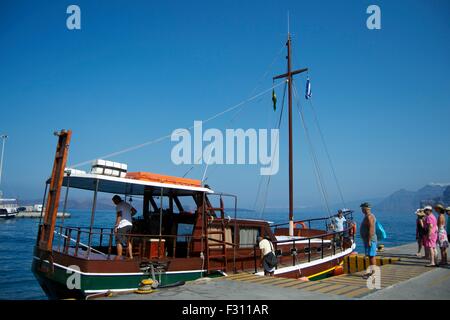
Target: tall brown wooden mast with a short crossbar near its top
<point x="288" y="76"/>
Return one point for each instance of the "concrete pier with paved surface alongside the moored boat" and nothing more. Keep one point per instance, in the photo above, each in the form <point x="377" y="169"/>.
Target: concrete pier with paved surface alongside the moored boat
<point x="406" y="278"/>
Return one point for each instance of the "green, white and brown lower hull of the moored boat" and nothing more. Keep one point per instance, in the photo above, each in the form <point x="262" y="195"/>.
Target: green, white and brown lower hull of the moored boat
<point x="65" y="282"/>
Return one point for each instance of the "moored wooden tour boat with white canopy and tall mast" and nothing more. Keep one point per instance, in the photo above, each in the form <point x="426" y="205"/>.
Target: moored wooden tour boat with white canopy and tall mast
<point x="74" y="262"/>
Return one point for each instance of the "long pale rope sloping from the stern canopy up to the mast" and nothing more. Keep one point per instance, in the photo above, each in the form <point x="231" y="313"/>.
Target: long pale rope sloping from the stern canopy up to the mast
<point x="150" y="142"/>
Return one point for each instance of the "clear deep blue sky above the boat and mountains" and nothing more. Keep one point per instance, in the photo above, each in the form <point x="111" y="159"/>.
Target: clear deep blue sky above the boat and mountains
<point x="137" y="70"/>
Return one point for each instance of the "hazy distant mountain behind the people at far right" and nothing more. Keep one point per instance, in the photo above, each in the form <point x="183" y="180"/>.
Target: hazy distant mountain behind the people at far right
<point x="408" y="201"/>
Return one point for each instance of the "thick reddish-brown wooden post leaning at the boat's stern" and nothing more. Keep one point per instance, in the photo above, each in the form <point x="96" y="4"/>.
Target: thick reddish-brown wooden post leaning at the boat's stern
<point x="56" y="180"/>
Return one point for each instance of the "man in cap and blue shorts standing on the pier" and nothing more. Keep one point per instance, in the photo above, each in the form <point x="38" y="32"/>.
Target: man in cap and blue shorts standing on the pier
<point x="369" y="236"/>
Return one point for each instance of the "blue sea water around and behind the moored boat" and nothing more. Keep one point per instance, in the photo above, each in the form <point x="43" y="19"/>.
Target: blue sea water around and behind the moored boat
<point x="18" y="236"/>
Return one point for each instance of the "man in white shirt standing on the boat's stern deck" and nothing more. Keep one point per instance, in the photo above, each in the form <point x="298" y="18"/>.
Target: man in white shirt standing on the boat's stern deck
<point x="123" y="226"/>
